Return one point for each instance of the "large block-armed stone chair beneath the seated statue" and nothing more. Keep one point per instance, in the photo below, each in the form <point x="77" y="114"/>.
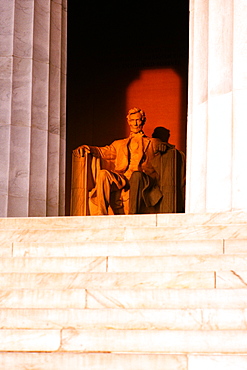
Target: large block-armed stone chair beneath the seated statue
<point x="171" y="170"/>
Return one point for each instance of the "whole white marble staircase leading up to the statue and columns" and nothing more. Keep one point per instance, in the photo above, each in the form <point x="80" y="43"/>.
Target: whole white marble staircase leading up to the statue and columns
<point x="161" y="292"/>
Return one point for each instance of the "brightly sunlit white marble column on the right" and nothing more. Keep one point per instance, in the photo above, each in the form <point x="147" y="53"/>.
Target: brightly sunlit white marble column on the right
<point x="217" y="114"/>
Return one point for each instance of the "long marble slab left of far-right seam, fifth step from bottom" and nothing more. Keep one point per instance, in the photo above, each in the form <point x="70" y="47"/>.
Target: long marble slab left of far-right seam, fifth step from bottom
<point x="99" y="280"/>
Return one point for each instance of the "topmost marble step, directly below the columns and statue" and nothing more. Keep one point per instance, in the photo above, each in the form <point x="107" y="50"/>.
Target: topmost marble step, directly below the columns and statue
<point x="177" y="220"/>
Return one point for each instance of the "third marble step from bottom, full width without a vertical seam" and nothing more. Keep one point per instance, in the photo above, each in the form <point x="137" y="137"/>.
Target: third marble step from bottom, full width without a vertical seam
<point x="124" y="319"/>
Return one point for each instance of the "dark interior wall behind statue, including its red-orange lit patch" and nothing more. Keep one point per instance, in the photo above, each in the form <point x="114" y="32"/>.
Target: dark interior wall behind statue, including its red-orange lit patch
<point x="120" y="56"/>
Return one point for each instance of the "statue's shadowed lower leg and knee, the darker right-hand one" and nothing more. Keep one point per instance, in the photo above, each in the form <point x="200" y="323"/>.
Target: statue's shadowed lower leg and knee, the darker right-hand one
<point x="138" y="181"/>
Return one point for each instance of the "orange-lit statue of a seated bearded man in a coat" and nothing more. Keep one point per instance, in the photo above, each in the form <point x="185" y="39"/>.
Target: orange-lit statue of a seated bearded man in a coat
<point x="136" y="171"/>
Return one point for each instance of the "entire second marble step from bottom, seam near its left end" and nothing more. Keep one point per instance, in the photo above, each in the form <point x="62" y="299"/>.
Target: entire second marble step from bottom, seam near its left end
<point x="124" y="341"/>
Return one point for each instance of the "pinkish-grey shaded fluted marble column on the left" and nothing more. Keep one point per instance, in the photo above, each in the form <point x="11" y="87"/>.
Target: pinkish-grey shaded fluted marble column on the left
<point x="32" y="113"/>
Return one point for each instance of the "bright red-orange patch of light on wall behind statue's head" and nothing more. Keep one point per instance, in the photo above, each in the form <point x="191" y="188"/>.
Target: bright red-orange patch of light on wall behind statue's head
<point x="159" y="92"/>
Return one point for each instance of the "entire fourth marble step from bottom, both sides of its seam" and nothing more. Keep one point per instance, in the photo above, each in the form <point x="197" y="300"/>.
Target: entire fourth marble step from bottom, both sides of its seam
<point x="123" y="299"/>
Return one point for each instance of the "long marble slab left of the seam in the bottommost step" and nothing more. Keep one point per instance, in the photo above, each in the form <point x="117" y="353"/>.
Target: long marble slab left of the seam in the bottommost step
<point x="91" y="361"/>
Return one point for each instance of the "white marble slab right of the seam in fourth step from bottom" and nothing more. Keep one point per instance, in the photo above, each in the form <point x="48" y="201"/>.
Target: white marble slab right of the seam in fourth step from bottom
<point x="169" y="298"/>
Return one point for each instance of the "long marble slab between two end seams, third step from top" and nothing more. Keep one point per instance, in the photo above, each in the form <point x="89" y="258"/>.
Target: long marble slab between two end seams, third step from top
<point x="105" y="248"/>
